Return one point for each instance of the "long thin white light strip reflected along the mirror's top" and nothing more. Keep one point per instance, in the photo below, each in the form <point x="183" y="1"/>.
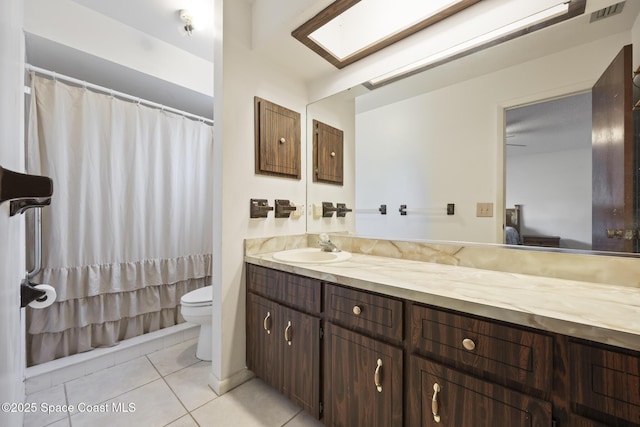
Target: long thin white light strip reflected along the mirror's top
<point x="530" y="20"/>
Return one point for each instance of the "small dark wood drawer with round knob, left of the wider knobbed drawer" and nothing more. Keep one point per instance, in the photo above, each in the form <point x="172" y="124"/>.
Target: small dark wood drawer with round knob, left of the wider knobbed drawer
<point x="370" y="313"/>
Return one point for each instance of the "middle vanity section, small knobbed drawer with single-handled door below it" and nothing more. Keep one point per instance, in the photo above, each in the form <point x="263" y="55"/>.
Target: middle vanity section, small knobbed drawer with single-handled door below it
<point x="363" y="368"/>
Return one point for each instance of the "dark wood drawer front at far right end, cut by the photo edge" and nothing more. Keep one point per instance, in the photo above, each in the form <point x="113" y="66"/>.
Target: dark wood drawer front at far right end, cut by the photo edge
<point x="605" y="381"/>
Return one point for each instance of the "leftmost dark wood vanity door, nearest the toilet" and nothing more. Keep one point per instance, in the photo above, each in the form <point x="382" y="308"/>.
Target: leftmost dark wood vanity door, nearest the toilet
<point x="264" y="342"/>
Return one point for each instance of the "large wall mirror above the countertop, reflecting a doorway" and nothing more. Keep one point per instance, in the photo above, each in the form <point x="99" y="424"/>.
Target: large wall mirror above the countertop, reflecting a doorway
<point x="450" y="135"/>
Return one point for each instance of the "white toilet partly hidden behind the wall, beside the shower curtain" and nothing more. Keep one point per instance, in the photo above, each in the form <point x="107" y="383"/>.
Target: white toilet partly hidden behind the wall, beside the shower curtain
<point x="196" y="308"/>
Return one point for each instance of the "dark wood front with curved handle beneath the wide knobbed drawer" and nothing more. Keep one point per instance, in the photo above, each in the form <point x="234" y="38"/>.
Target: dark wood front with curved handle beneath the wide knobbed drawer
<point x="462" y="400"/>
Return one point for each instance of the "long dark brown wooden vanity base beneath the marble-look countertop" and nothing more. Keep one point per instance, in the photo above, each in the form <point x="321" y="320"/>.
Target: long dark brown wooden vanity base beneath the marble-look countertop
<point x="354" y="357"/>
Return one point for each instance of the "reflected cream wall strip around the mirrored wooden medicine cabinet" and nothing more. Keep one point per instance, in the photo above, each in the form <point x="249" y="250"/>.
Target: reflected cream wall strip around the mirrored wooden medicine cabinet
<point x="339" y="113"/>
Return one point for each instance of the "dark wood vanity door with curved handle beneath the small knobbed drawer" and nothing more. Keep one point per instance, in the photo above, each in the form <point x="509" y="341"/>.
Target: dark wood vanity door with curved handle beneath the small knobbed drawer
<point x="363" y="380"/>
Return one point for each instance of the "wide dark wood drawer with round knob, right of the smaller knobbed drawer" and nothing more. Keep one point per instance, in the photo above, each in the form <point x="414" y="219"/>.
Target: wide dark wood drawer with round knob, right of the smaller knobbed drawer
<point x="509" y="355"/>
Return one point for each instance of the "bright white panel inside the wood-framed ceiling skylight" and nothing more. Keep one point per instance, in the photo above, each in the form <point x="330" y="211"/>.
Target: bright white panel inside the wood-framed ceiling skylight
<point x="371" y="21"/>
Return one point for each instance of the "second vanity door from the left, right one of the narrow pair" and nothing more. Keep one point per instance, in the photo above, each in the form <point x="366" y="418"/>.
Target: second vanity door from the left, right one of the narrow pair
<point x="300" y="338"/>
